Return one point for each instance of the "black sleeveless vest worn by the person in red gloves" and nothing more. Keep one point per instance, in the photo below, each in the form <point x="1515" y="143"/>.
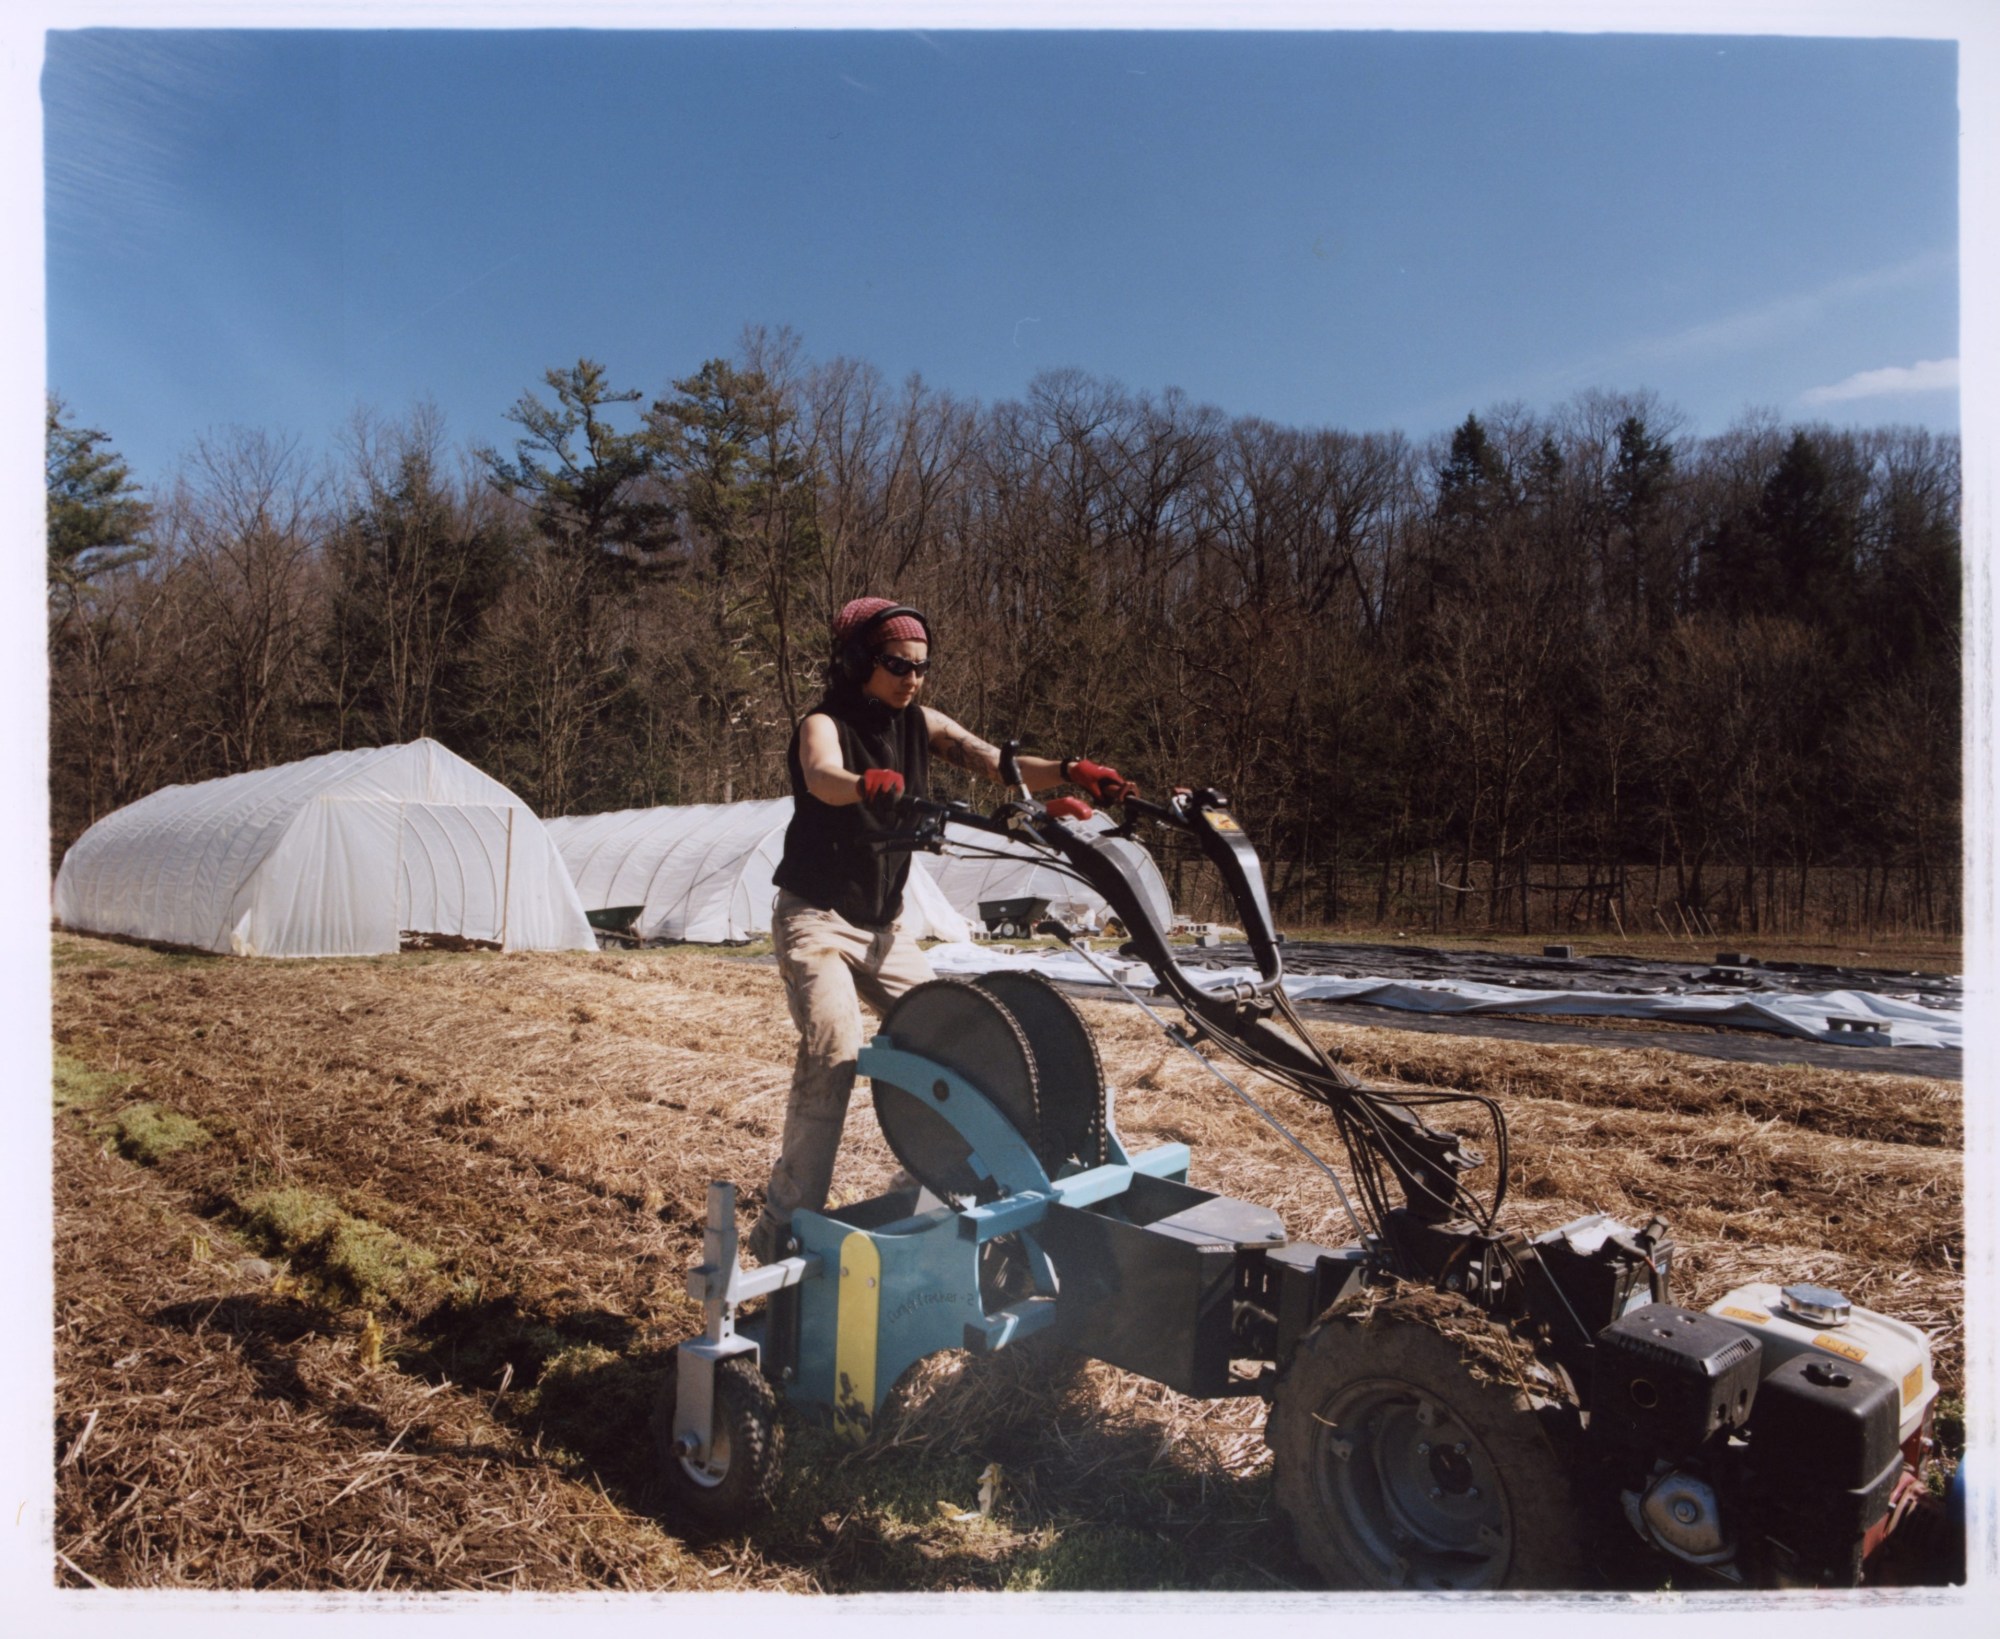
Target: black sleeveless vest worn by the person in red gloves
<point x="825" y="860"/>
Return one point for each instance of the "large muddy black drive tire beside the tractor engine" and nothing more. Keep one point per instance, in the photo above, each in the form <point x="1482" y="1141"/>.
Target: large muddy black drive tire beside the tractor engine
<point x="1401" y="1470"/>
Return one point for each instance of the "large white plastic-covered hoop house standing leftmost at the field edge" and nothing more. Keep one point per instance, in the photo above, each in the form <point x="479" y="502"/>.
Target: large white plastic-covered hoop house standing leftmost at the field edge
<point x="329" y="856"/>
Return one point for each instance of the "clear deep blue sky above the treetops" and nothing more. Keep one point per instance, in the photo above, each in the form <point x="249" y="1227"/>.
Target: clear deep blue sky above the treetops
<point x="1337" y="229"/>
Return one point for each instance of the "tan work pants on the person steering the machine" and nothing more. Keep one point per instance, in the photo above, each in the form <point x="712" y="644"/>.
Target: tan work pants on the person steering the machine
<point x="829" y="968"/>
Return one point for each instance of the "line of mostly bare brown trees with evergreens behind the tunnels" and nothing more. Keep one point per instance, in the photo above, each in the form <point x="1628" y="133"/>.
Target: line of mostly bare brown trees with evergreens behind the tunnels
<point x="1557" y="671"/>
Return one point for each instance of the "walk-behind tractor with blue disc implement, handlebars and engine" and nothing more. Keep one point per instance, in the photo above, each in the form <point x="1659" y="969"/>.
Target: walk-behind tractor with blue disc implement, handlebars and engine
<point x="1453" y="1406"/>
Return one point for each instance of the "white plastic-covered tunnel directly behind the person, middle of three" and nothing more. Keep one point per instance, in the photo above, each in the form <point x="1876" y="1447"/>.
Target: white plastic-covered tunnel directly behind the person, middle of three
<point x="703" y="870"/>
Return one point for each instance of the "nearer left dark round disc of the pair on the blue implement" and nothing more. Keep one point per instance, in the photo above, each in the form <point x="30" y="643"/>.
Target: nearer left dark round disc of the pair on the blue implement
<point x="959" y="1026"/>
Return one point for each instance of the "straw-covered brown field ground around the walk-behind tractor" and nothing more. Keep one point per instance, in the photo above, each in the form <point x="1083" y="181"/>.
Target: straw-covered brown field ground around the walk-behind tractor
<point x="367" y="1274"/>
